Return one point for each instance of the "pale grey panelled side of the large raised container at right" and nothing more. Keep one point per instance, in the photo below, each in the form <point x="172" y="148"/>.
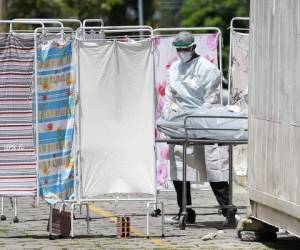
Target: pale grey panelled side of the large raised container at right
<point x="274" y="117"/>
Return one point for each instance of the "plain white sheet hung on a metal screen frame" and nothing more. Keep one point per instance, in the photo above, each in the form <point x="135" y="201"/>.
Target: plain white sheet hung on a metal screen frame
<point x="117" y="118"/>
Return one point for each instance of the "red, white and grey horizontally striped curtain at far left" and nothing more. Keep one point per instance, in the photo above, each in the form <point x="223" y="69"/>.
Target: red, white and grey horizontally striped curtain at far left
<point x="17" y="150"/>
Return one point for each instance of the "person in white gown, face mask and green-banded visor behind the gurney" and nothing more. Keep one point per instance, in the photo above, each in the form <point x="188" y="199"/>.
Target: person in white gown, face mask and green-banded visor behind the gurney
<point x="192" y="81"/>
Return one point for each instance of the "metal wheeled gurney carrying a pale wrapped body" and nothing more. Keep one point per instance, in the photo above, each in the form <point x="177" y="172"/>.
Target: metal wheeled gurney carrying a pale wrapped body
<point x="207" y="127"/>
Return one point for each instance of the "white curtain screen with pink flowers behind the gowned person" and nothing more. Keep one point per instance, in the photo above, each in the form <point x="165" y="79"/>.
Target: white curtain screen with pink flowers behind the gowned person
<point x="208" y="44"/>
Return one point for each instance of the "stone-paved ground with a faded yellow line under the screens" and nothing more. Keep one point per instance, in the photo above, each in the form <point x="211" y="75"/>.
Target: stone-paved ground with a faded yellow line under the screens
<point x="30" y="232"/>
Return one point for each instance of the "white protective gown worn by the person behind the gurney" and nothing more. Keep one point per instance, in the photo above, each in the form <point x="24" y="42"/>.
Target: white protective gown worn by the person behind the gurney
<point x="190" y="85"/>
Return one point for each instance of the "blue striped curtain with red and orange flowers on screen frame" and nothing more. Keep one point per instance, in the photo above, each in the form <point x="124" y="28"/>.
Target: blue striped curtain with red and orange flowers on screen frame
<point x="56" y="120"/>
